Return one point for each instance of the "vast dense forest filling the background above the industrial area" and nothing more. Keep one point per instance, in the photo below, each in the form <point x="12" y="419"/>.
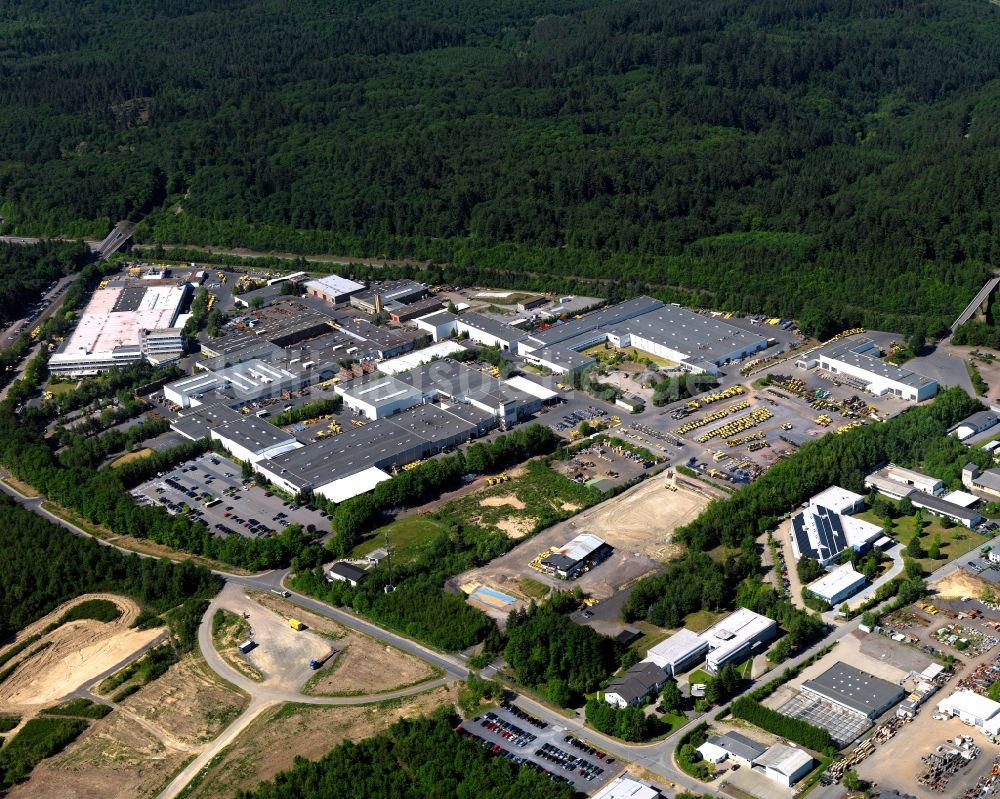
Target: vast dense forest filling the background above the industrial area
<point x="832" y="160"/>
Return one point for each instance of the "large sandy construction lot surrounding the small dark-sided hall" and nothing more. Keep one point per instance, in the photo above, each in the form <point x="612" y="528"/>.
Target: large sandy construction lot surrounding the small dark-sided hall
<point x="639" y="525"/>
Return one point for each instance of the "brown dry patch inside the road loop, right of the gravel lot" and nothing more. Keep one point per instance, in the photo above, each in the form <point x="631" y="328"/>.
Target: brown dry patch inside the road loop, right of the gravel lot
<point x="364" y="666"/>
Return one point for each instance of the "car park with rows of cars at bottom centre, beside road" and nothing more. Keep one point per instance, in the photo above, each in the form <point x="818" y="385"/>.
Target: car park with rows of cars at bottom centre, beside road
<point x="515" y="734"/>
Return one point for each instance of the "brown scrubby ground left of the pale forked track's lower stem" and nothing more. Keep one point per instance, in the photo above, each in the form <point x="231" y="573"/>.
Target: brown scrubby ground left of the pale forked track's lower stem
<point x="135" y="750"/>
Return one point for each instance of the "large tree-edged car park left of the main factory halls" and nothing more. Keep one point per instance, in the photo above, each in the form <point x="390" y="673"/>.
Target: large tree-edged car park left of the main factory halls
<point x="244" y="509"/>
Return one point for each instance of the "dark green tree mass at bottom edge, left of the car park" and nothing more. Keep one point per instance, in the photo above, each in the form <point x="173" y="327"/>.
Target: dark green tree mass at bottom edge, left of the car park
<point x="416" y="759"/>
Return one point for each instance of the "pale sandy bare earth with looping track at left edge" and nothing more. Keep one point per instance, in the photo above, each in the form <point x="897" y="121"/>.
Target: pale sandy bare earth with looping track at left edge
<point x="79" y="652"/>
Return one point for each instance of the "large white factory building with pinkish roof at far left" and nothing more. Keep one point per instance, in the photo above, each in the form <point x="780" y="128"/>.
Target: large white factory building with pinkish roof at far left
<point x="124" y="323"/>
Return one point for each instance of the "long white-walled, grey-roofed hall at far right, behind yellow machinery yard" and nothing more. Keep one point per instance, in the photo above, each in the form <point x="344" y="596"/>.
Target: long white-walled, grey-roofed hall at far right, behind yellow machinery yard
<point x="858" y="361"/>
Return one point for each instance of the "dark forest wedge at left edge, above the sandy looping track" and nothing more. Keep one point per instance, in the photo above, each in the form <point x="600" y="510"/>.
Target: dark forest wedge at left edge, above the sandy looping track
<point x="44" y="565"/>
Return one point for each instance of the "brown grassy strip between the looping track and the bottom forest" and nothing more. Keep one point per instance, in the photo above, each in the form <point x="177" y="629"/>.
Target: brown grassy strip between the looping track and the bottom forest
<point x="271" y="742"/>
